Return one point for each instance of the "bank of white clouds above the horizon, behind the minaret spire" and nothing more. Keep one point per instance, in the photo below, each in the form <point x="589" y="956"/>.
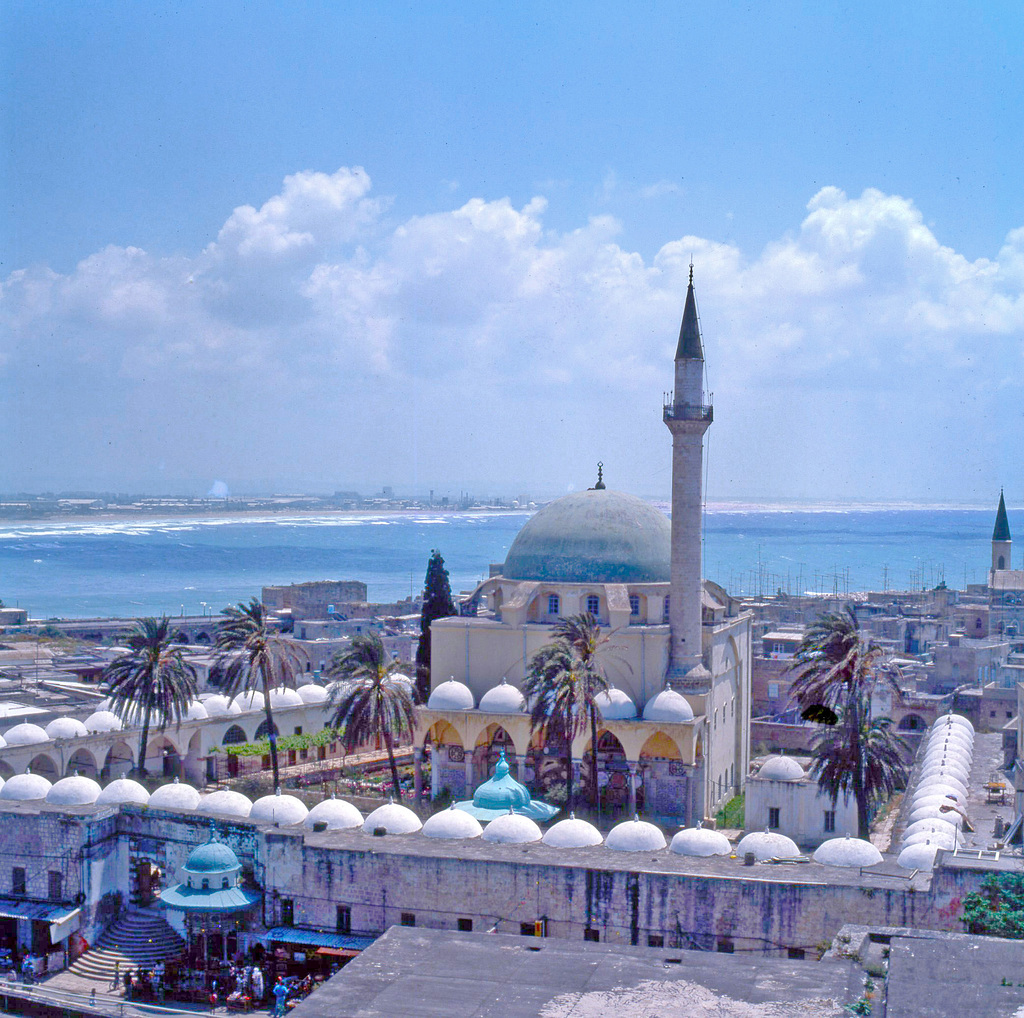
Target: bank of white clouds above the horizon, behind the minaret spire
<point x="478" y="344"/>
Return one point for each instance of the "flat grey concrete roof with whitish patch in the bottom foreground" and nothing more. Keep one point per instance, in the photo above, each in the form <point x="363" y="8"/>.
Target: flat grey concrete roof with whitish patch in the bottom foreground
<point x="422" y="973"/>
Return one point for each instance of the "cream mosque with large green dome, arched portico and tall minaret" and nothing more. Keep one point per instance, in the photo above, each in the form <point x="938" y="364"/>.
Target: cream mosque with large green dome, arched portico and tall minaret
<point x="674" y="734"/>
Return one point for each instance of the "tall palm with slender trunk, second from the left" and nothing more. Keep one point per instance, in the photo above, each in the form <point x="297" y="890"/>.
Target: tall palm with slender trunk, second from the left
<point x="255" y="657"/>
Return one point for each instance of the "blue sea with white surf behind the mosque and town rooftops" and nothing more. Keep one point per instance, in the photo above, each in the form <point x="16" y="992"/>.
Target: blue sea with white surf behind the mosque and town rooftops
<point x="193" y="566"/>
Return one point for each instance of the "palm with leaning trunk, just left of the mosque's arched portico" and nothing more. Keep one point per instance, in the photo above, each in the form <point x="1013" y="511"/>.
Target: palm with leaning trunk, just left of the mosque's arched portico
<point x="370" y="701"/>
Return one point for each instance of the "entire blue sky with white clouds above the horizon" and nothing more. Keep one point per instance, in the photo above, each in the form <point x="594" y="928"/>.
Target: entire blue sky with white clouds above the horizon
<point x="337" y="246"/>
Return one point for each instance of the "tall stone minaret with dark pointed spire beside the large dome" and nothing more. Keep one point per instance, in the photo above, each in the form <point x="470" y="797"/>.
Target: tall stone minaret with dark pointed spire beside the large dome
<point x="688" y="418"/>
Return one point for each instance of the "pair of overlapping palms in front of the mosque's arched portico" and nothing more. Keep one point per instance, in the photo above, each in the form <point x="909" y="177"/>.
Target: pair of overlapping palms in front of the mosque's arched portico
<point x="563" y="686"/>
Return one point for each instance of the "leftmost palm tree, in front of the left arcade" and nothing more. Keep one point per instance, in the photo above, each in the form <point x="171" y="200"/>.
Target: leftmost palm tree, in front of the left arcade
<point x="152" y="678"/>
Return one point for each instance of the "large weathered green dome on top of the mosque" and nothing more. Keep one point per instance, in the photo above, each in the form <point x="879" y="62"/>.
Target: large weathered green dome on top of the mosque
<point x="596" y="536"/>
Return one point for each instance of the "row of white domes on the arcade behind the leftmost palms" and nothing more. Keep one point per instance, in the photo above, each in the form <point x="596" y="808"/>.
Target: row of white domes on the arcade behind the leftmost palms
<point x="208" y="706"/>
